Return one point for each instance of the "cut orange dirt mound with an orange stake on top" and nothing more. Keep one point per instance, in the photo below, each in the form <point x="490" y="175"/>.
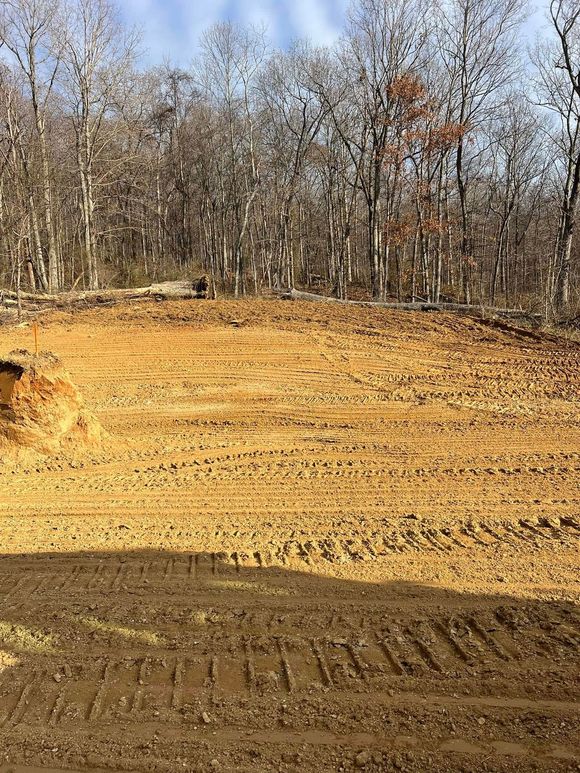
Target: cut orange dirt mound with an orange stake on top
<point x="40" y="407"/>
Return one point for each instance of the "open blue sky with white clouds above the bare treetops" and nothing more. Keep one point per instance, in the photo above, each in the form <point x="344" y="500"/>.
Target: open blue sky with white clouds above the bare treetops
<point x="172" y="27"/>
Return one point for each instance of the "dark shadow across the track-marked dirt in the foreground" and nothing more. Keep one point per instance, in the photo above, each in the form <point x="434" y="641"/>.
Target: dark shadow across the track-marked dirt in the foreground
<point x="169" y="661"/>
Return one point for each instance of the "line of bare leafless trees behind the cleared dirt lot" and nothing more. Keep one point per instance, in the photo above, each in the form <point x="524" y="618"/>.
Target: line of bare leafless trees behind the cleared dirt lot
<point x="428" y="155"/>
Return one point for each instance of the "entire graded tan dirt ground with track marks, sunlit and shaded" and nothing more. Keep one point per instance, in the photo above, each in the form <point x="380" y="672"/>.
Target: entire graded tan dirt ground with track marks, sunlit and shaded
<point x="317" y="538"/>
